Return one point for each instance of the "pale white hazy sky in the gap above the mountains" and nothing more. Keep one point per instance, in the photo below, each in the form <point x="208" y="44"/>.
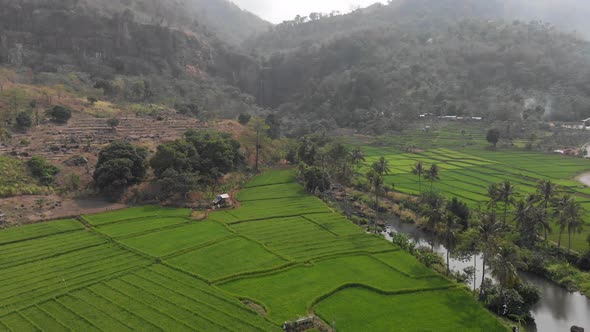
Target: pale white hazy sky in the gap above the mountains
<point x="277" y="11"/>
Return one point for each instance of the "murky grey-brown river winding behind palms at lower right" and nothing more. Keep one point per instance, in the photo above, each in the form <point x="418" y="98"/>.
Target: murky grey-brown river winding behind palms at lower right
<point x="557" y="310"/>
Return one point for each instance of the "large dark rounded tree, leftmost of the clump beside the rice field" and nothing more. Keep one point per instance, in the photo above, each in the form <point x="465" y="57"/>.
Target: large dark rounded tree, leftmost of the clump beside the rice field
<point x="119" y="166"/>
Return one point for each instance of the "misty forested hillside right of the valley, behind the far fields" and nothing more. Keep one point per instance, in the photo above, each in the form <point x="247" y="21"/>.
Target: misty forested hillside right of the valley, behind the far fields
<point x="376" y="67"/>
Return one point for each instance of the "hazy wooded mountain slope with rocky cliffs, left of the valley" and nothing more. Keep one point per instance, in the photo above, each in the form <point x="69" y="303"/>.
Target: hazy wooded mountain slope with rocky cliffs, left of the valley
<point x="126" y="53"/>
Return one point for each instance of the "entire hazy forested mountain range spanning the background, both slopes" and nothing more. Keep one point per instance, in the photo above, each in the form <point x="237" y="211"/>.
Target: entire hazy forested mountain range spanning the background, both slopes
<point x="373" y="69"/>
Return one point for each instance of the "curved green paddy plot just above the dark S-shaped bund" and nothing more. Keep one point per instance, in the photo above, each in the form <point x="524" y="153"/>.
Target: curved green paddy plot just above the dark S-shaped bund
<point x="288" y="294"/>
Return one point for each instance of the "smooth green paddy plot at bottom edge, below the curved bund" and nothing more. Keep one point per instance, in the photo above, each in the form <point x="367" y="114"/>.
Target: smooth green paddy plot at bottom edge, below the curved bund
<point x="449" y="310"/>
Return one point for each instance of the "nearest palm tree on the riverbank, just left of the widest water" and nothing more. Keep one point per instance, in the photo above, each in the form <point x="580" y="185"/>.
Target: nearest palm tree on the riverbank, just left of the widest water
<point x="505" y="264"/>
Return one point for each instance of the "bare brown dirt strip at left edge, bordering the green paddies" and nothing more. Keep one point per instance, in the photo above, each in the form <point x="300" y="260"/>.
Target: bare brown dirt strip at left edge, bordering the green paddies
<point x="31" y="209"/>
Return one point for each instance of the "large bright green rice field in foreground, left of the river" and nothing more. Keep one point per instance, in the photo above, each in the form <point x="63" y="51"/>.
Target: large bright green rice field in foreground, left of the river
<point x="281" y="255"/>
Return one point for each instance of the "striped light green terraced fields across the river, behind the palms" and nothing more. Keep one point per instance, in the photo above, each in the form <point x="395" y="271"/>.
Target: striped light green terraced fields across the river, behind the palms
<point x="467" y="173"/>
